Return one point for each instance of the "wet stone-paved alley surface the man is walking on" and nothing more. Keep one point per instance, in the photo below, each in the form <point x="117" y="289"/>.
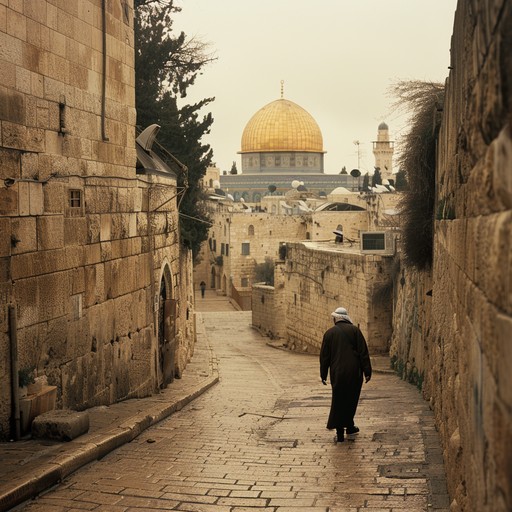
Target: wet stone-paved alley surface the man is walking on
<point x="257" y="440"/>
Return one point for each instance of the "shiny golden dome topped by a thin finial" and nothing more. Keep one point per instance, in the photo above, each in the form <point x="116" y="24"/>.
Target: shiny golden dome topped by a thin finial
<point x="282" y="126"/>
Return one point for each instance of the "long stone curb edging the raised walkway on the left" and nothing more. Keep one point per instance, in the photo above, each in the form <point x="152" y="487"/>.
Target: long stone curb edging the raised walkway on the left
<point x="64" y="464"/>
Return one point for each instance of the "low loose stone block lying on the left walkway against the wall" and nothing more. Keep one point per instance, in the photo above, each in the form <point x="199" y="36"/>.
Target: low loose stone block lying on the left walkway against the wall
<point x="61" y="425"/>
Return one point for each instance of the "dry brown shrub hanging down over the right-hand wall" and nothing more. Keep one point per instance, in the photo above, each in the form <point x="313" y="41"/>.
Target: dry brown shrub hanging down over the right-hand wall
<point x="423" y="101"/>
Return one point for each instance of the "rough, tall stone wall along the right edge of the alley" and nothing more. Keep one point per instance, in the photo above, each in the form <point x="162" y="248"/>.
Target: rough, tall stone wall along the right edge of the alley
<point x="466" y="345"/>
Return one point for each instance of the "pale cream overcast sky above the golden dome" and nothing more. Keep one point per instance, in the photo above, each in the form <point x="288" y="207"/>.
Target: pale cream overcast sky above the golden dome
<point x="338" y="60"/>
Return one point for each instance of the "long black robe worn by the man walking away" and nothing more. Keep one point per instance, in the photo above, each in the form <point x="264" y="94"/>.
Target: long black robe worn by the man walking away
<point x="345" y="354"/>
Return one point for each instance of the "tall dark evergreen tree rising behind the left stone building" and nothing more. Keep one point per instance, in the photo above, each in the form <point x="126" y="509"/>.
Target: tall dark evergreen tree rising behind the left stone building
<point x="166" y="65"/>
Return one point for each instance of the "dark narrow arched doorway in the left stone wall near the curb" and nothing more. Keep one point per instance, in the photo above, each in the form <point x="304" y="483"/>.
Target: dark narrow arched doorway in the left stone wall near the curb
<point x="166" y="330"/>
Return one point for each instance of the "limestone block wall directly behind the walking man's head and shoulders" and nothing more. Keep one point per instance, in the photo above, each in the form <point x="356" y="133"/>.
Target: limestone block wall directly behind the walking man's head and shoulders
<point x="319" y="278"/>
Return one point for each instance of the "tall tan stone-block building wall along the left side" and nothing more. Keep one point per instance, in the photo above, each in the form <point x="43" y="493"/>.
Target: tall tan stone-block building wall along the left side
<point x="83" y="250"/>
